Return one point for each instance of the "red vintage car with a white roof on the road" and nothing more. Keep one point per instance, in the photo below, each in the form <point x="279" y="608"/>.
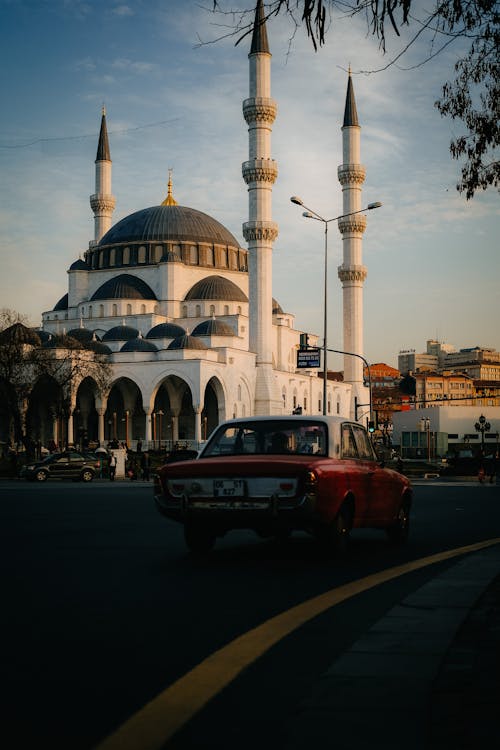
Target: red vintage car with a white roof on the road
<point x="276" y="475"/>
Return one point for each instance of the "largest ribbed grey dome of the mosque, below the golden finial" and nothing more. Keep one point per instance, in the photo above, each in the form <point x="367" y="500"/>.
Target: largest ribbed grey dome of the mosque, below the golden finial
<point x="168" y="223"/>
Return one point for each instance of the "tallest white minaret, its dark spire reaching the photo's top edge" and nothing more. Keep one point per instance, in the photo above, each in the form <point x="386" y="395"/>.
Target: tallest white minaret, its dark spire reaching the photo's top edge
<point x="260" y="173"/>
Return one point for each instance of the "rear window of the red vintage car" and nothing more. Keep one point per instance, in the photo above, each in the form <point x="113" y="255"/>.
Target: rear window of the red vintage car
<point x="272" y="436"/>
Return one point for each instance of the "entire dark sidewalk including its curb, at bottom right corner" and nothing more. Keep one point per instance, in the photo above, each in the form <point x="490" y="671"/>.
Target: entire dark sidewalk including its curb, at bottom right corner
<point x="424" y="677"/>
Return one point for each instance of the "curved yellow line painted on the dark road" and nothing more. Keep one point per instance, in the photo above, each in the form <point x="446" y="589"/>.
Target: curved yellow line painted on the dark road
<point x="154" y="724"/>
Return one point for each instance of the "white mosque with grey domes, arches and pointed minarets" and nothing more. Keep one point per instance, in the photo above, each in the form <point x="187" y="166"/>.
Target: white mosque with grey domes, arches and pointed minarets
<point x="185" y="316"/>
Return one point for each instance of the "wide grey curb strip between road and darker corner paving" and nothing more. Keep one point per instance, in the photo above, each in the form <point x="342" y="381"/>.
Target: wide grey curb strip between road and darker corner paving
<point x="378" y="693"/>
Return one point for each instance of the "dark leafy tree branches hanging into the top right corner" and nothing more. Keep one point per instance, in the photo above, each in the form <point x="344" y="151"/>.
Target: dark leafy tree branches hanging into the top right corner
<point x="473" y="97"/>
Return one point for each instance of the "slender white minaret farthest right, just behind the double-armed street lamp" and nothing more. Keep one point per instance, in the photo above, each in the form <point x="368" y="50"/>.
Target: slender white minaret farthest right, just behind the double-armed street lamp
<point x="352" y="273"/>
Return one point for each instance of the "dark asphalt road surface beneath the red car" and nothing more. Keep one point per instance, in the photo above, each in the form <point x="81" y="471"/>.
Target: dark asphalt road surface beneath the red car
<point x="103" y="609"/>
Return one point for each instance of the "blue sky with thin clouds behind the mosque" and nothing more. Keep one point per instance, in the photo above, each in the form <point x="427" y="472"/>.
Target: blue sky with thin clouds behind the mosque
<point x="173" y="97"/>
